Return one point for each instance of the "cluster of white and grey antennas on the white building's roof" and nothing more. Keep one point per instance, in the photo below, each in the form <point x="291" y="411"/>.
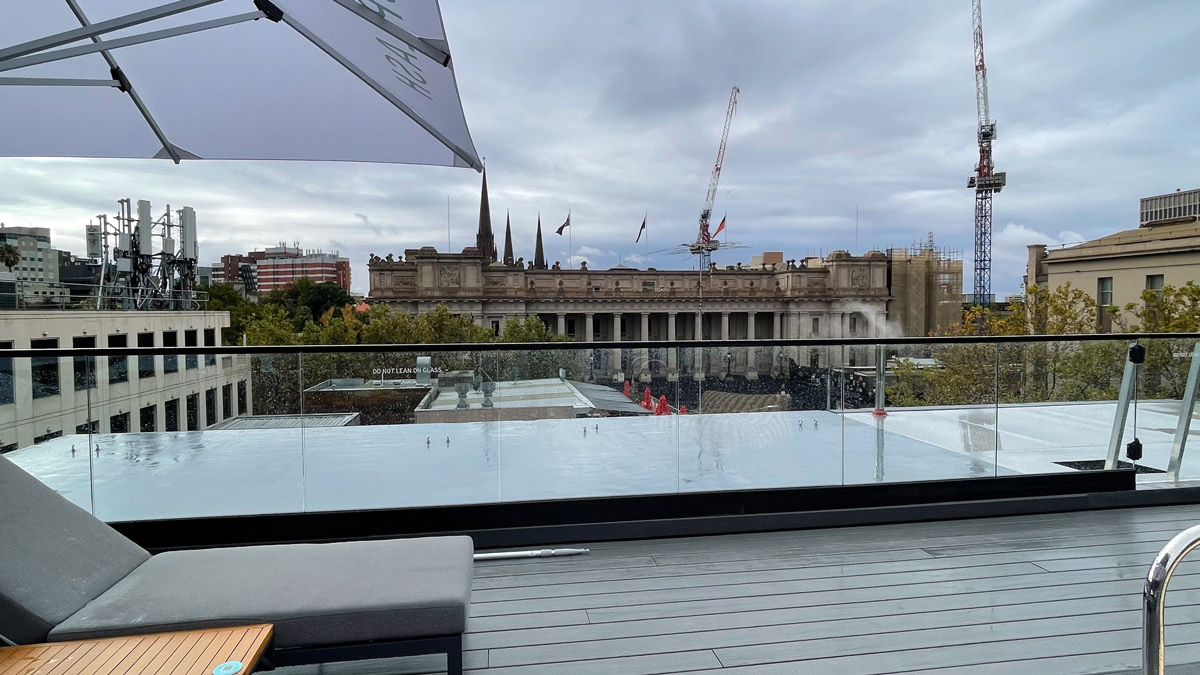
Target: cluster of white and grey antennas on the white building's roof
<point x="133" y="274"/>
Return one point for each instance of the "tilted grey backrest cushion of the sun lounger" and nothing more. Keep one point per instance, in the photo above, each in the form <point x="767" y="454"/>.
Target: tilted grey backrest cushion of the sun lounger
<point x="55" y="557"/>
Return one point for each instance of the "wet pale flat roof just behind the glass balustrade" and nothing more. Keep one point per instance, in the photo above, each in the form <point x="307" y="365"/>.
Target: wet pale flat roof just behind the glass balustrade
<point x="215" y="473"/>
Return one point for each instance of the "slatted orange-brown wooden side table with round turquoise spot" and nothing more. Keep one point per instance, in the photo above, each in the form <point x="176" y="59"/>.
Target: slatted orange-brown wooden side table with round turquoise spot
<point x="188" y="653"/>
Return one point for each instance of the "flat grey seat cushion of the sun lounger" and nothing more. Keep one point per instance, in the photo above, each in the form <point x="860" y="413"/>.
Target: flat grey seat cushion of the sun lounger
<point x="314" y="594"/>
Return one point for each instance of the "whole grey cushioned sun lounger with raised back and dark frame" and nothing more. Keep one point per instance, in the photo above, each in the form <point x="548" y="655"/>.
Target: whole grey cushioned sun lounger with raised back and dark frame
<point x="67" y="576"/>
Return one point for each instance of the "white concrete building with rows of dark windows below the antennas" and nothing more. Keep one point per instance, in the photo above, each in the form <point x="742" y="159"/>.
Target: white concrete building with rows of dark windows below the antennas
<point x="43" y="399"/>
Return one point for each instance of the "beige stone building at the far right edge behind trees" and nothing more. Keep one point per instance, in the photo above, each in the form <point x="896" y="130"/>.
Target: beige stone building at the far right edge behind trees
<point x="1115" y="270"/>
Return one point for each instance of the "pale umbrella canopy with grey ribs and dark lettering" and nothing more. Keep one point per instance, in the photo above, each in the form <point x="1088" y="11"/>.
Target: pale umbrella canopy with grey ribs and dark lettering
<point x="332" y="80"/>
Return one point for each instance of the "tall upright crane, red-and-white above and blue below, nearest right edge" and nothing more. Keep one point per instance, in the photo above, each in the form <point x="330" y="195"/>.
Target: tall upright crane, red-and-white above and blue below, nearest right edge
<point x="986" y="181"/>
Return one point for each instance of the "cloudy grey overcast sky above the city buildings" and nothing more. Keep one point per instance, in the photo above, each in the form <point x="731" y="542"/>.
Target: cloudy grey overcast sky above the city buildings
<point x="614" y="110"/>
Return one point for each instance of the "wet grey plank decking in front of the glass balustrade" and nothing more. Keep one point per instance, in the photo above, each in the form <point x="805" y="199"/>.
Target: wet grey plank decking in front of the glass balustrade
<point x="1042" y="594"/>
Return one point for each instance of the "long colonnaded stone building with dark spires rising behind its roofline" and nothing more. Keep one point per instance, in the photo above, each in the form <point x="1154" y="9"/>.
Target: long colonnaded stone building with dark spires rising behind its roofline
<point x="839" y="296"/>
